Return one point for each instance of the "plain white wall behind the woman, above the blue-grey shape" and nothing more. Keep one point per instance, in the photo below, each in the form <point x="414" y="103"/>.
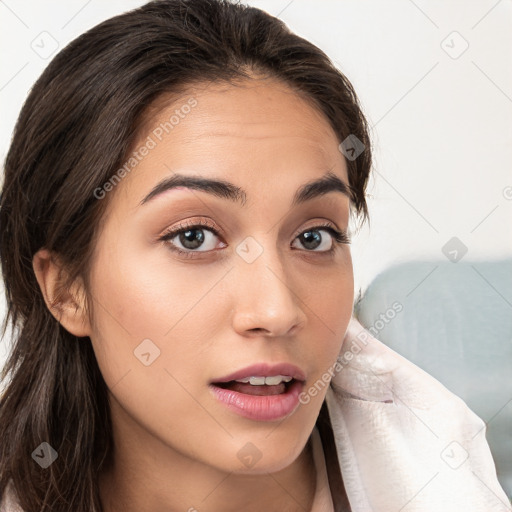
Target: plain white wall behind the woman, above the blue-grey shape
<point x="442" y="126"/>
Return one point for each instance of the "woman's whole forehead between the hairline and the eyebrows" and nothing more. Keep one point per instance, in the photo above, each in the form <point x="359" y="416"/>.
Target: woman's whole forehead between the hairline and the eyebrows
<point x="246" y="133"/>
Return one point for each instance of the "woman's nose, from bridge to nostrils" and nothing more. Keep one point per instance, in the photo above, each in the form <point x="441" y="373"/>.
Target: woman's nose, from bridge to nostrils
<point x="265" y="302"/>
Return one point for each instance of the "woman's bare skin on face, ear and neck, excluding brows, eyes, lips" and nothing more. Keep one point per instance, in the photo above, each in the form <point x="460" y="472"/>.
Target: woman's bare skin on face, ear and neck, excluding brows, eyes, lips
<point x="176" y="446"/>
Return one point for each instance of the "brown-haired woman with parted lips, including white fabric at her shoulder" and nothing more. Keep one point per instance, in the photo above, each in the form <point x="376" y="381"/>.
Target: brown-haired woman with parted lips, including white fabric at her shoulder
<point x="174" y="223"/>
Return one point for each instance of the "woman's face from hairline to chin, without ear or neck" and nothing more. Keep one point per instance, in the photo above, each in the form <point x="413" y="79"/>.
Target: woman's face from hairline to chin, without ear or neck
<point x="259" y="284"/>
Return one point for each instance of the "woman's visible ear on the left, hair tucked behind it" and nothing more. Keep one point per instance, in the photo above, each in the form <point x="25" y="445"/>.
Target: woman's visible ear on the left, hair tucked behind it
<point x="67" y="305"/>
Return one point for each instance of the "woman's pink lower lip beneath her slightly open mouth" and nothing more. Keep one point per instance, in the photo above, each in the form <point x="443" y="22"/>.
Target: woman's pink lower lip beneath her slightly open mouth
<point x="260" y="408"/>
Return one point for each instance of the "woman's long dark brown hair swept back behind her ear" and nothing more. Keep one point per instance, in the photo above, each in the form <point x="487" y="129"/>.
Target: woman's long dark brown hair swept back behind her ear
<point x="75" y="129"/>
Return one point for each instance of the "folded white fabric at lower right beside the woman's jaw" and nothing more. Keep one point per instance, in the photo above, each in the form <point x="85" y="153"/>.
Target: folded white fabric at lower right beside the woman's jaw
<point x="405" y="443"/>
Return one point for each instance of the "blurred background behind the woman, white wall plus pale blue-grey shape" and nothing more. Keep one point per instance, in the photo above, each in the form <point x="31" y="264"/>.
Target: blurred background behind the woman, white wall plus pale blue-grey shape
<point x="435" y="81"/>
